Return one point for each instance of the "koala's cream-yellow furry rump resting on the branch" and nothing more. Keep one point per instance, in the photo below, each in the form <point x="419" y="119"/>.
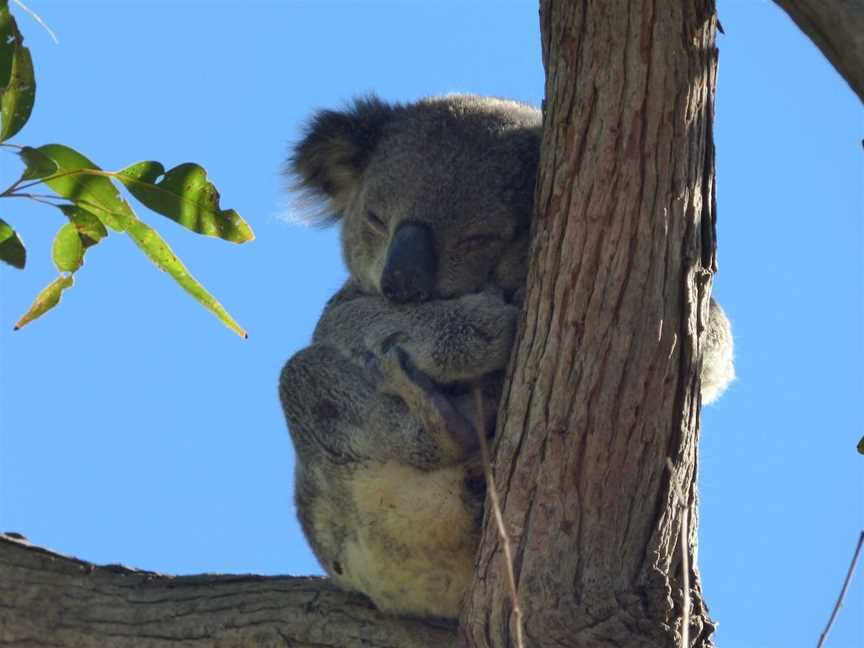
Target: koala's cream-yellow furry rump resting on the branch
<point x="412" y="549"/>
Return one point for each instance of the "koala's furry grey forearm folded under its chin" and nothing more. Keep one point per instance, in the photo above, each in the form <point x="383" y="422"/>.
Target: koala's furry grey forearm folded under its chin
<point x="454" y="340"/>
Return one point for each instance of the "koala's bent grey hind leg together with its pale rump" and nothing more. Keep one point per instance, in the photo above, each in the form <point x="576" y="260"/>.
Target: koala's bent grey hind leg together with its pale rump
<point x="387" y="510"/>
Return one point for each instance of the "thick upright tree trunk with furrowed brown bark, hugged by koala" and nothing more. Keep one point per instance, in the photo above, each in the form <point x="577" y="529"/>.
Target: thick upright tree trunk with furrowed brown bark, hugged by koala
<point x="603" y="384"/>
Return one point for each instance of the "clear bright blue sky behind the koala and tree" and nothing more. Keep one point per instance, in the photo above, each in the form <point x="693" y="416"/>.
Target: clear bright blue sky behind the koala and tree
<point x="134" y="428"/>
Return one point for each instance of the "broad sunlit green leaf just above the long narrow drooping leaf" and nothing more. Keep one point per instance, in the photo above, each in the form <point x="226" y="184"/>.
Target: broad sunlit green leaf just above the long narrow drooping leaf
<point x="79" y="180"/>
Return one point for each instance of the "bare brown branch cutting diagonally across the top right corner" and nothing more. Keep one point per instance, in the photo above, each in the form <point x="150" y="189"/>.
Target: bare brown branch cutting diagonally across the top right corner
<point x="837" y="29"/>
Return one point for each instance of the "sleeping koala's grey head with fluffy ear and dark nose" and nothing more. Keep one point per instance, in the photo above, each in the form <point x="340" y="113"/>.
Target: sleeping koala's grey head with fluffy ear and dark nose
<point x="435" y="197"/>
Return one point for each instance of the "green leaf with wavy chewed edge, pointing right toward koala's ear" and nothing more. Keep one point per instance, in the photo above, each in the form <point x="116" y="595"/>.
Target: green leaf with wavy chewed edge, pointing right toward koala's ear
<point x="186" y="196"/>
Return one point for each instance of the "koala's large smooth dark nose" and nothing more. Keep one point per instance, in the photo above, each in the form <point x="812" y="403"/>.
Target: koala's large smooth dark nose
<point x="411" y="267"/>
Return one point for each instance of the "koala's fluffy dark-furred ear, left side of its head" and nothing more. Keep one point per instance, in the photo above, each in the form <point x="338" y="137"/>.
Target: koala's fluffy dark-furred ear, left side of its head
<point x="328" y="162"/>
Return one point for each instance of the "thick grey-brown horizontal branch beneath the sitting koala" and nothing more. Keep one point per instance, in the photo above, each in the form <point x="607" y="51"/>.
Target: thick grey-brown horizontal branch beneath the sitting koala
<point x="50" y="600"/>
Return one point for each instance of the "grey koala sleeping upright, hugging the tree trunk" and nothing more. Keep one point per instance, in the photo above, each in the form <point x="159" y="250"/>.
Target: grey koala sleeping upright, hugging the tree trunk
<point x="435" y="200"/>
